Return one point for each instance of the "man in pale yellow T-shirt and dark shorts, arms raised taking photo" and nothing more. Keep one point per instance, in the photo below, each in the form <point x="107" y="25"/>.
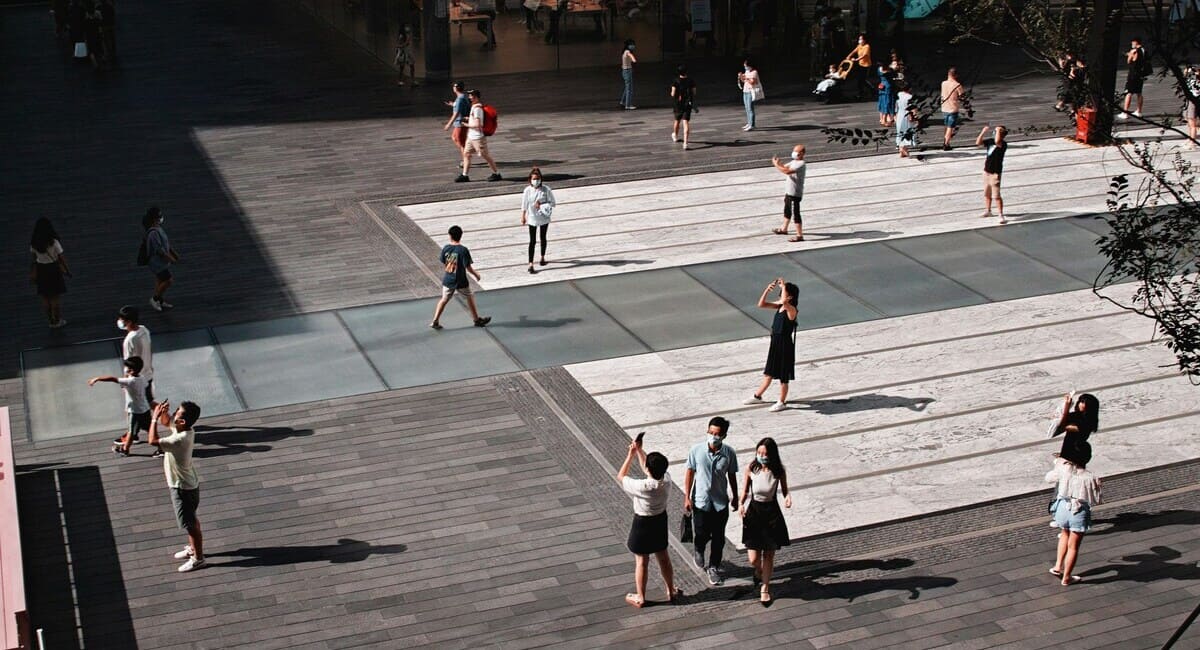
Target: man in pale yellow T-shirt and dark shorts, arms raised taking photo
<point x="182" y="478"/>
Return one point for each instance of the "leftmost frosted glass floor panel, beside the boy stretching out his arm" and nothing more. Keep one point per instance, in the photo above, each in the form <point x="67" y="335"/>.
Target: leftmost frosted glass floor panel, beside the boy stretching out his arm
<point x="59" y="401"/>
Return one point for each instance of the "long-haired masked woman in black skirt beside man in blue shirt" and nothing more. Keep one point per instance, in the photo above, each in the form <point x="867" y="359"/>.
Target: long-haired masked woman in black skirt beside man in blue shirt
<point x="764" y="529"/>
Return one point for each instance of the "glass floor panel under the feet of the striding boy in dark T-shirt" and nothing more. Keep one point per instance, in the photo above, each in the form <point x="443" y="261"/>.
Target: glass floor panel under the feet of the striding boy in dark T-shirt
<point x="400" y="344"/>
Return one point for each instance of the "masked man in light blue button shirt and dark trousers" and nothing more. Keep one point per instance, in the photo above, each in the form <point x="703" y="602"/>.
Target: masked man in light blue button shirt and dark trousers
<point x="710" y="465"/>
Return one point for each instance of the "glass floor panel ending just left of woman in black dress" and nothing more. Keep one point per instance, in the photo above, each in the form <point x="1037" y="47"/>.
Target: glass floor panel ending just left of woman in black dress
<point x="669" y="309"/>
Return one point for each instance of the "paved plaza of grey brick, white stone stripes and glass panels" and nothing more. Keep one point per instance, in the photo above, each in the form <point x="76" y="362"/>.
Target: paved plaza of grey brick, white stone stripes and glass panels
<point x="370" y="483"/>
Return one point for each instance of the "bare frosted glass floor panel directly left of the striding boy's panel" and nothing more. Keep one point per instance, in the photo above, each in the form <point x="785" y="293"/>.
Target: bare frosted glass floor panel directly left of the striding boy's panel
<point x="297" y="359"/>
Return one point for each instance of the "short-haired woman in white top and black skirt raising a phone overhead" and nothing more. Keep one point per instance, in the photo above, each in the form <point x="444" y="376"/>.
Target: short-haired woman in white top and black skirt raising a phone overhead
<point x="649" y="535"/>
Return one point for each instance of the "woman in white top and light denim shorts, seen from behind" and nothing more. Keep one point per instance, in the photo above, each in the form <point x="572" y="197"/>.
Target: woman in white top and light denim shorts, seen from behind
<point x="1077" y="493"/>
